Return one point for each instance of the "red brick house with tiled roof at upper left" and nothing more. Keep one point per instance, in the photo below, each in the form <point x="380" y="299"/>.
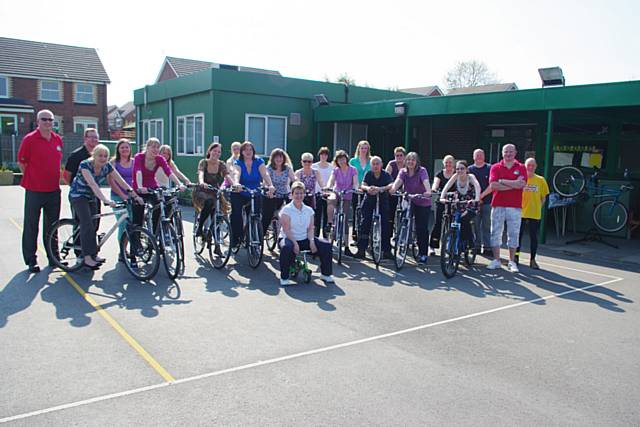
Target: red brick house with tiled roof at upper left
<point x="68" y="80"/>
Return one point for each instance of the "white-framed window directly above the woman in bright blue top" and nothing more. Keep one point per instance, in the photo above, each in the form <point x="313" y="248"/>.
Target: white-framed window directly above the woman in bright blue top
<point x="266" y="132"/>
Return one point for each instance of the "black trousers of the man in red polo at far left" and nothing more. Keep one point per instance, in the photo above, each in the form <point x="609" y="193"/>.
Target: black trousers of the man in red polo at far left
<point x="34" y="202"/>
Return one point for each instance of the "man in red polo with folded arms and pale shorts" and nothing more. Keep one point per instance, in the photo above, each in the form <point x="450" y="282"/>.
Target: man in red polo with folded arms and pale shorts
<point x="507" y="179"/>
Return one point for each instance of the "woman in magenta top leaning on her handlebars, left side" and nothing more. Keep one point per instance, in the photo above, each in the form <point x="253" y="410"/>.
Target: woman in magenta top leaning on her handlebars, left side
<point x="145" y="165"/>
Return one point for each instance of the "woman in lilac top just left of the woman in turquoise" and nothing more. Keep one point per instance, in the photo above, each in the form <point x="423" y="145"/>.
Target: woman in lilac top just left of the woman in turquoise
<point x="343" y="177"/>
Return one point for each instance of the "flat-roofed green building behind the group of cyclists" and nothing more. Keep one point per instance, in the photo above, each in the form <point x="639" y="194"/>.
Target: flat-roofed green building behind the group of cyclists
<point x="587" y="125"/>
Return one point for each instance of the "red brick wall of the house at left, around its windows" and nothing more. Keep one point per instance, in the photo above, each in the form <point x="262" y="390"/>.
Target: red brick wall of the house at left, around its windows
<point x="27" y="89"/>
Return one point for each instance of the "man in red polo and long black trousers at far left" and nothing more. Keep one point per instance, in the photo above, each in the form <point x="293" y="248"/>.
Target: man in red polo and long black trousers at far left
<point x="39" y="159"/>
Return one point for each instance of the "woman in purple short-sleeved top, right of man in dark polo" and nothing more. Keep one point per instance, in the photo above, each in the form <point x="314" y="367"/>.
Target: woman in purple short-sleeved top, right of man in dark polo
<point x="415" y="180"/>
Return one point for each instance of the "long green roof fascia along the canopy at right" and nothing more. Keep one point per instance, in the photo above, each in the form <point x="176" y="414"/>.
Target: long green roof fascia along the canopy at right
<point x="602" y="95"/>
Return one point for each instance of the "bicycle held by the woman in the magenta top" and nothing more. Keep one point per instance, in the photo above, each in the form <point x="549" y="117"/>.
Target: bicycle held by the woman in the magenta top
<point x="165" y="232"/>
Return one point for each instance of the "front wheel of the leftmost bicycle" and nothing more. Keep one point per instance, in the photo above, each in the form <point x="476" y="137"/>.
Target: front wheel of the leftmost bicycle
<point x="140" y="253"/>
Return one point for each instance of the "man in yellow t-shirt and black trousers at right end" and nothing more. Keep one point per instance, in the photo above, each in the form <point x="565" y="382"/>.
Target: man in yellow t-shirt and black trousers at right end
<point x="533" y="198"/>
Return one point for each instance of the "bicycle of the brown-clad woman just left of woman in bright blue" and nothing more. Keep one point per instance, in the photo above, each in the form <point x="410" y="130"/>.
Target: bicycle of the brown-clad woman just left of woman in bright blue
<point x="217" y="235"/>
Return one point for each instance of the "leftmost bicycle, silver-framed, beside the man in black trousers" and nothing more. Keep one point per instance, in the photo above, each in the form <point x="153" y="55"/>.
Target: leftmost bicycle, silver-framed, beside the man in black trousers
<point x="138" y="248"/>
